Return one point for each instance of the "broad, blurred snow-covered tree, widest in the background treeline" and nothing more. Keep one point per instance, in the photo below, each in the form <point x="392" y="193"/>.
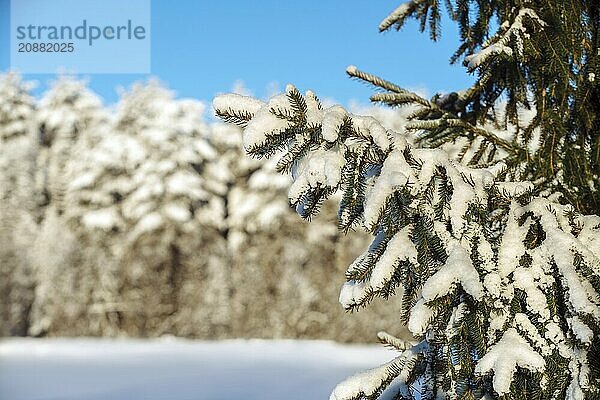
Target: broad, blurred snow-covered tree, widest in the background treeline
<point x="142" y="190"/>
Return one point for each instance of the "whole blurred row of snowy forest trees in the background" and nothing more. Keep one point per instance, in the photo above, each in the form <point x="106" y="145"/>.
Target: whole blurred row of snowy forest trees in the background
<point x="144" y="219"/>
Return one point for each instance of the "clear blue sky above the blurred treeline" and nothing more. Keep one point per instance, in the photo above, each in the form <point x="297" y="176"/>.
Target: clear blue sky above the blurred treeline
<point x="201" y="48"/>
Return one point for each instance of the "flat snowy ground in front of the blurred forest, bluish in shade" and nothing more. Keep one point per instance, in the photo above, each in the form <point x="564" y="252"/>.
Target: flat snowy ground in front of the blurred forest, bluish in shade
<point x="90" y="369"/>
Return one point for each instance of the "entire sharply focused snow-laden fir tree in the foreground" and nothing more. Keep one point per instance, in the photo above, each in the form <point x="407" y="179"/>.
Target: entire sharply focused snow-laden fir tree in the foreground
<point x="500" y="279"/>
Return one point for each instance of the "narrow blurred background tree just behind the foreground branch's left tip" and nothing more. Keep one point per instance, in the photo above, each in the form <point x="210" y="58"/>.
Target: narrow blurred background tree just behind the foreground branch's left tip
<point x="252" y="211"/>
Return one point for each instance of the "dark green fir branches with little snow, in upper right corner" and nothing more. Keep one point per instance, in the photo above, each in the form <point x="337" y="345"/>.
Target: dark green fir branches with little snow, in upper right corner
<point x="540" y="60"/>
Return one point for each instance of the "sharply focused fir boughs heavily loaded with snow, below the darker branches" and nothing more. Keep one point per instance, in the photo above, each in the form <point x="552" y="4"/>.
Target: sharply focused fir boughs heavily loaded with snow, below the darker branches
<point x="500" y="287"/>
